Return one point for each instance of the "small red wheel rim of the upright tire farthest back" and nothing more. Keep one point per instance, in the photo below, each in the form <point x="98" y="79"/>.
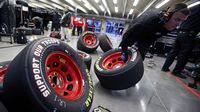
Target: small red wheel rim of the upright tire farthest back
<point x="89" y="40"/>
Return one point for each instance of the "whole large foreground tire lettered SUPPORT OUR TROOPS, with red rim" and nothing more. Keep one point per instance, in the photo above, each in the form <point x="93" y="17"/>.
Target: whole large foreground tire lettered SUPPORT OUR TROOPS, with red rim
<point x="48" y="76"/>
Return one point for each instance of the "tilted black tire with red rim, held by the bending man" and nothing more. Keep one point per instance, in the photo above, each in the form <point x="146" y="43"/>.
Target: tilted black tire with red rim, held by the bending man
<point x="115" y="74"/>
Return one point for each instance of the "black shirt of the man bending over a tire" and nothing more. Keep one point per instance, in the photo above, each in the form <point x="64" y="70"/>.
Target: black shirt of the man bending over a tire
<point x="144" y="29"/>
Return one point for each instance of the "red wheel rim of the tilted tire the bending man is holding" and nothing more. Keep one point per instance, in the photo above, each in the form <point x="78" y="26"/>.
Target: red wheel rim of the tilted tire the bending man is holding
<point x="113" y="61"/>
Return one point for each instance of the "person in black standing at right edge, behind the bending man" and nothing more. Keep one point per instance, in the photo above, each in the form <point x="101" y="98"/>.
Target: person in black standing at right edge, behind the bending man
<point x="184" y="43"/>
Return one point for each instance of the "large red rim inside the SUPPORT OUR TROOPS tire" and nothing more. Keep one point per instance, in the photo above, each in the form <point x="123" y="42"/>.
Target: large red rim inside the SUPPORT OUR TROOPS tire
<point x="64" y="75"/>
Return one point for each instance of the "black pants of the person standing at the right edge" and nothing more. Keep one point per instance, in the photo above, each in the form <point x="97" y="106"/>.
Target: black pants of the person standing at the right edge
<point x="182" y="48"/>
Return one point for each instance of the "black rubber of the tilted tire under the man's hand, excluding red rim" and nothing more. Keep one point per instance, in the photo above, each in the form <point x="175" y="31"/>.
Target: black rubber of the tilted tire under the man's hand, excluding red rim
<point x="125" y="76"/>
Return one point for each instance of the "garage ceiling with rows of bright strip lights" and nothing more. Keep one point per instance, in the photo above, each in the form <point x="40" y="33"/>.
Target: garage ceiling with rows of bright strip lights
<point x="107" y="7"/>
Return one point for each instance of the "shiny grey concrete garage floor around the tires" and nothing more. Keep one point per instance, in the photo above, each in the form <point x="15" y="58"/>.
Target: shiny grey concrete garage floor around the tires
<point x="156" y="92"/>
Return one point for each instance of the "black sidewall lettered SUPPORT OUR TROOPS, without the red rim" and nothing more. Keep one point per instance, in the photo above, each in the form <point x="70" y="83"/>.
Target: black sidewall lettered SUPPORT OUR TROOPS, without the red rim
<point x="37" y="54"/>
